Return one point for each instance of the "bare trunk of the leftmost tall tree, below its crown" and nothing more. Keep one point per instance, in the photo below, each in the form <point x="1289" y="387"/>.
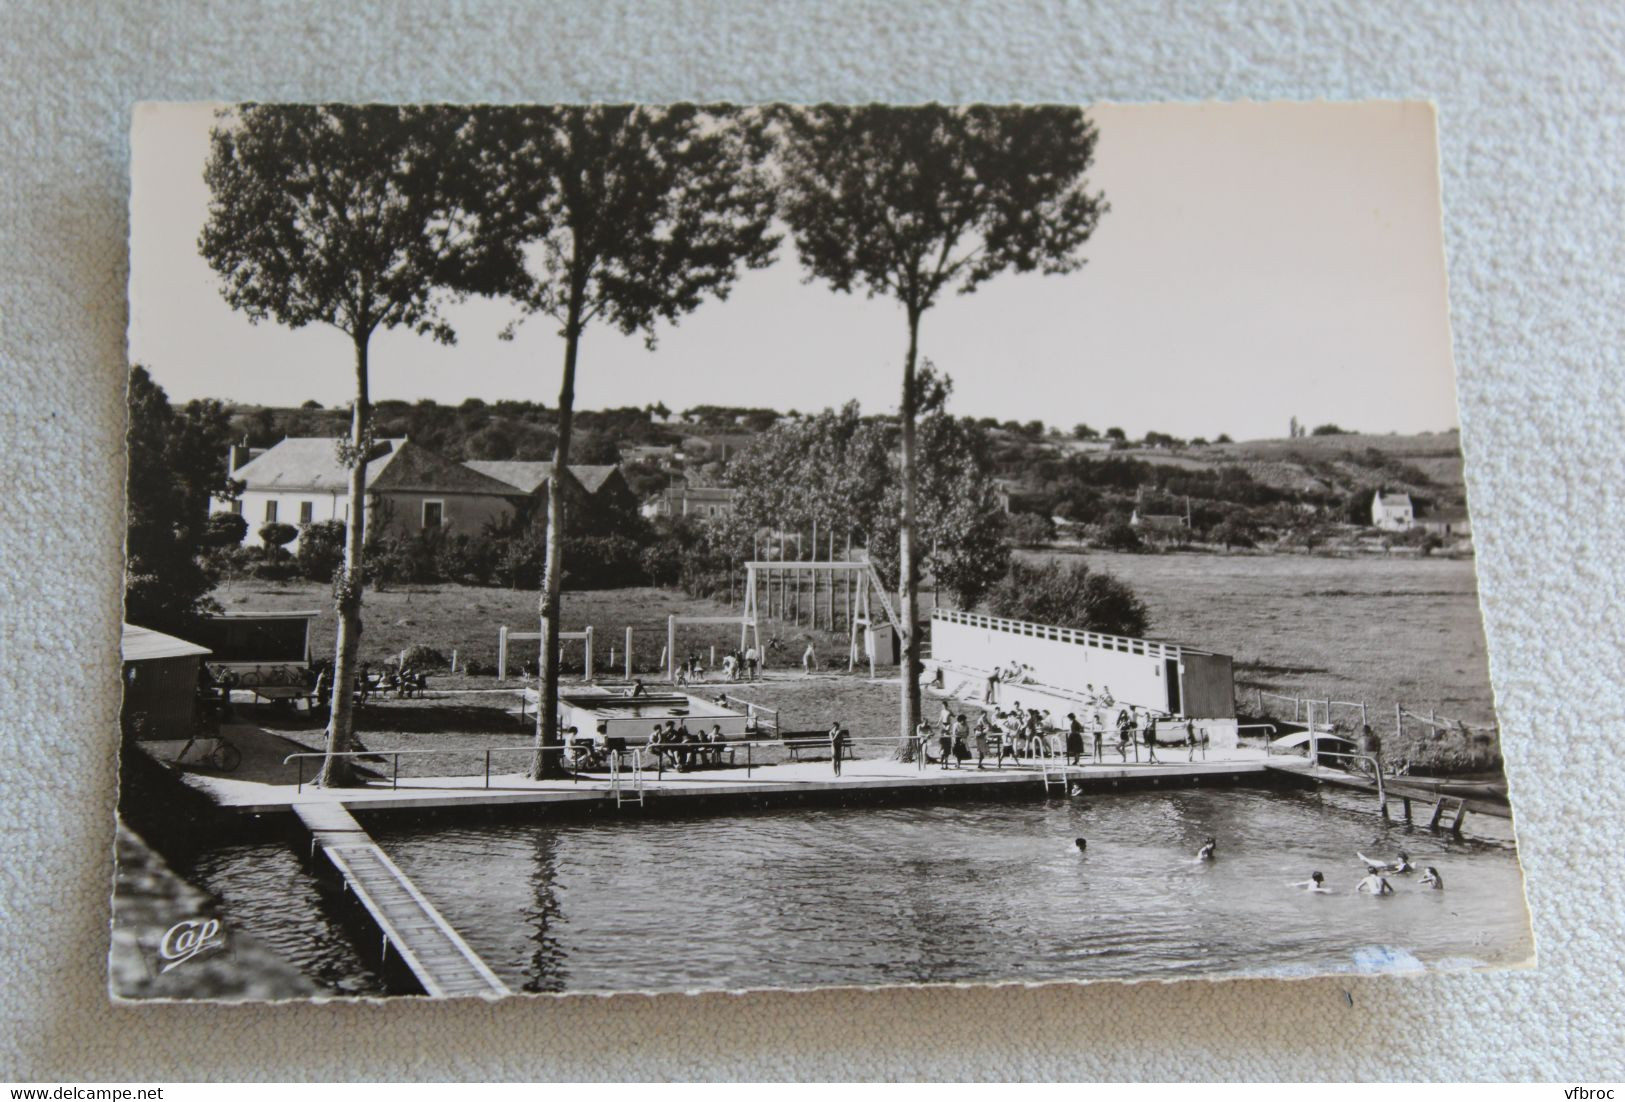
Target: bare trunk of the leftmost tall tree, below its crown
<point x="347" y="592"/>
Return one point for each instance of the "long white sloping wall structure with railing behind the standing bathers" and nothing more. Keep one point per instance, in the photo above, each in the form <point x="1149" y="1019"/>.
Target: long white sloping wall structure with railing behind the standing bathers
<point x="1060" y="666"/>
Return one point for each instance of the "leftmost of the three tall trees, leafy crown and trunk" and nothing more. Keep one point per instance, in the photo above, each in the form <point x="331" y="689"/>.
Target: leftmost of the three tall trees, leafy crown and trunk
<point x="337" y="215"/>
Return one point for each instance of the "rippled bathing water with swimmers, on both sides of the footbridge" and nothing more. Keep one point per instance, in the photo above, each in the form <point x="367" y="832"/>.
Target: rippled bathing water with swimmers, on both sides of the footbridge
<point x="956" y="893"/>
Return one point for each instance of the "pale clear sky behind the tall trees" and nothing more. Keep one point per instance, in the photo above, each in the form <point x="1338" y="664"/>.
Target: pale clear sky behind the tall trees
<point x="1259" y="262"/>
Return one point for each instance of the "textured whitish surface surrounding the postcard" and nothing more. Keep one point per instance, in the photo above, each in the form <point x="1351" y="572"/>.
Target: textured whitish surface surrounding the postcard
<point x="1532" y="145"/>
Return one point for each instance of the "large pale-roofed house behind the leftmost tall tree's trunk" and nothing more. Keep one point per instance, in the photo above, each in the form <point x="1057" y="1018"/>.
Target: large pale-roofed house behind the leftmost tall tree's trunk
<point x="410" y="488"/>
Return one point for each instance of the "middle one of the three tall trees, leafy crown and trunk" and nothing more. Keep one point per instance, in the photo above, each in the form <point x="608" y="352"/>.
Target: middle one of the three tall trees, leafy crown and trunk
<point x="628" y="217"/>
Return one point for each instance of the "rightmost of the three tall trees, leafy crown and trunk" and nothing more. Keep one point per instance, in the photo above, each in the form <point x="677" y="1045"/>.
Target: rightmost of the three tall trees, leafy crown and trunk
<point x="916" y="202"/>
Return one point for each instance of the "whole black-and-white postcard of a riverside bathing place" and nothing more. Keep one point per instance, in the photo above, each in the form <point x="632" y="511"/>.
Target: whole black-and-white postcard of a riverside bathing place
<point x="703" y="549"/>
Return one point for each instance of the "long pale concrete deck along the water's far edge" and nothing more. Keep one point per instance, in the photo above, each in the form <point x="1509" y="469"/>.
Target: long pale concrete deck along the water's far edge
<point x="870" y="776"/>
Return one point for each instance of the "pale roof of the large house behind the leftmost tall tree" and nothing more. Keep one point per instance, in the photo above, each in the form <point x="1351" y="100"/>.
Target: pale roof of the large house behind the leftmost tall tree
<point x="311" y="464"/>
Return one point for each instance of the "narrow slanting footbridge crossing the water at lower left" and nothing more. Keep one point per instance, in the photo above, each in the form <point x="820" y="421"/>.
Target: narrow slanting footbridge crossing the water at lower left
<point x="410" y="926"/>
